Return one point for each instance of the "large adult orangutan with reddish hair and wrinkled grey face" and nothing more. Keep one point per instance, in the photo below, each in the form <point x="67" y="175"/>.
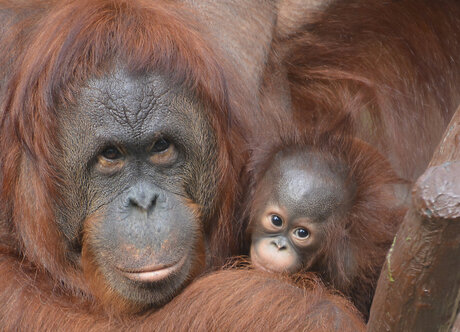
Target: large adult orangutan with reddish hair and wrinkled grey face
<point x="119" y="178"/>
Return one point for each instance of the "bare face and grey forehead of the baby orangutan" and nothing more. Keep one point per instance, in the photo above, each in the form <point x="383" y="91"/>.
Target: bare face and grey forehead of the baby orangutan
<point x="296" y="201"/>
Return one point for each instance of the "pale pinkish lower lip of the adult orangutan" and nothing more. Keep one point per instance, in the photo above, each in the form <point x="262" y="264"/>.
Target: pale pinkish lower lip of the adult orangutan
<point x="153" y="273"/>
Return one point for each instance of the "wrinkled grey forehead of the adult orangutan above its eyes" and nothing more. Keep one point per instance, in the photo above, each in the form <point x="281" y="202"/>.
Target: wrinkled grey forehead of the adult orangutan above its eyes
<point x="138" y="106"/>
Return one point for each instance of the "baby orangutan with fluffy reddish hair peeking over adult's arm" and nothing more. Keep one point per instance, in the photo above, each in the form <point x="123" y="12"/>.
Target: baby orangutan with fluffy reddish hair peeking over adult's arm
<point x="327" y="206"/>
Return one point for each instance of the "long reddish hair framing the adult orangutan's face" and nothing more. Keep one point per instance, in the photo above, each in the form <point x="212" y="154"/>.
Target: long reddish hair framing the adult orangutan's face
<point x="72" y="42"/>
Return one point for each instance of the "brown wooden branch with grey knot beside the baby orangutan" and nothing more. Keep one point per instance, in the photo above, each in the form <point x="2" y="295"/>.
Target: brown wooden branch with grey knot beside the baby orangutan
<point x="419" y="286"/>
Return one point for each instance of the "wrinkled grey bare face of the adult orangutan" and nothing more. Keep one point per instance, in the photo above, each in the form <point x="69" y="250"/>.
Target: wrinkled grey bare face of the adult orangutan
<point x="132" y="149"/>
